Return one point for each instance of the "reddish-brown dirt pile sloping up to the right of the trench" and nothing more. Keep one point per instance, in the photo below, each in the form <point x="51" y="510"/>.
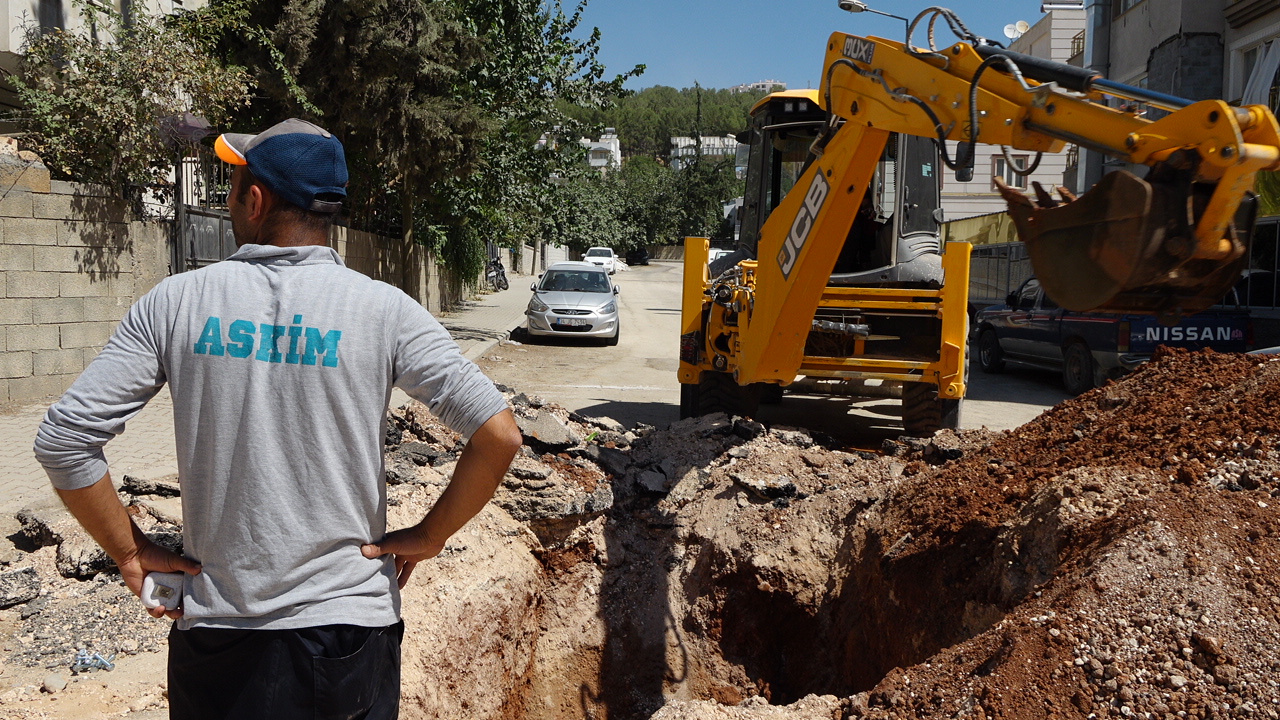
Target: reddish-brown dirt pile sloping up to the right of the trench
<point x="1116" y="558"/>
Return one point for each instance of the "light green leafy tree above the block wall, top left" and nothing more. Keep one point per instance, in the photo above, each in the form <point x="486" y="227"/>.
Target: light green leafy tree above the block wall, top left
<point x="94" y="98"/>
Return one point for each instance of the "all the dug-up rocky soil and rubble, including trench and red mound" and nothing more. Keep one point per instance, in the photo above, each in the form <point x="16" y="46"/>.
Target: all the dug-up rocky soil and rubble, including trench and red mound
<point x="1114" y="558"/>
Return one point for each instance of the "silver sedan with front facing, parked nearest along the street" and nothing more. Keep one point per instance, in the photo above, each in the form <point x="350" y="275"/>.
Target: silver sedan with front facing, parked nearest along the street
<point x="575" y="299"/>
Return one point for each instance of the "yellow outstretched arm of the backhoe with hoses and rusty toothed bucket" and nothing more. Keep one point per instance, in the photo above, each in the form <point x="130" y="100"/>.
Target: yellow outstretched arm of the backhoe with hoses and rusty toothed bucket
<point x="1172" y="244"/>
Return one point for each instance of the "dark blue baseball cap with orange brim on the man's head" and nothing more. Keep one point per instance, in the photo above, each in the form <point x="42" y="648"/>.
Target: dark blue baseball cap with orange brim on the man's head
<point x="298" y="161"/>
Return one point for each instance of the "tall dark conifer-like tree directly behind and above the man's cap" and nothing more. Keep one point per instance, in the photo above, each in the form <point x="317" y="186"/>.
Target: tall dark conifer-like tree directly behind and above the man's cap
<point x="387" y="76"/>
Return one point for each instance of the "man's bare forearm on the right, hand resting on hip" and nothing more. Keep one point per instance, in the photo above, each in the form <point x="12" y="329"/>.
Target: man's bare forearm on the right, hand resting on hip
<point x="481" y="470"/>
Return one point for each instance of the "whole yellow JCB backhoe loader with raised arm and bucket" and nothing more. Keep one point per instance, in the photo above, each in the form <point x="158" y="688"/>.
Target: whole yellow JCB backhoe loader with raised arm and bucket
<point x="840" y="276"/>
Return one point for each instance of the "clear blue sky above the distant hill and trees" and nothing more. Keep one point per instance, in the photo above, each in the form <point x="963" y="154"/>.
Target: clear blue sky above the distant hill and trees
<point x="728" y="43"/>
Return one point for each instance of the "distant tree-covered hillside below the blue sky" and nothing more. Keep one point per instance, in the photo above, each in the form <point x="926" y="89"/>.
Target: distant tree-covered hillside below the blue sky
<point x="648" y="120"/>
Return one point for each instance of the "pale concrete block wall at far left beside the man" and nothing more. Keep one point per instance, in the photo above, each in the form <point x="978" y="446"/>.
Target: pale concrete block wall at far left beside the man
<point x="71" y="265"/>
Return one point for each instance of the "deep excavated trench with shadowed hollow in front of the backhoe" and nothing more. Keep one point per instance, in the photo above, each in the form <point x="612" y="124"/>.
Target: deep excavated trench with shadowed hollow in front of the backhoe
<point x="706" y="616"/>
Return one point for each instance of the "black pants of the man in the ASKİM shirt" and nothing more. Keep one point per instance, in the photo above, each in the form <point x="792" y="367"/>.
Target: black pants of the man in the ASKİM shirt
<point x="332" y="672"/>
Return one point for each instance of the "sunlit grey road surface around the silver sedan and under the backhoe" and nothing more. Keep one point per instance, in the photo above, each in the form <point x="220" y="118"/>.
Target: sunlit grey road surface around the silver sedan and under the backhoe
<point x="636" y="382"/>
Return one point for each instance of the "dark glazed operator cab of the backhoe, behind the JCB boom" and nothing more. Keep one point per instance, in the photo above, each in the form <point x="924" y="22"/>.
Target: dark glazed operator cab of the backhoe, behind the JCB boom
<point x="895" y="236"/>
